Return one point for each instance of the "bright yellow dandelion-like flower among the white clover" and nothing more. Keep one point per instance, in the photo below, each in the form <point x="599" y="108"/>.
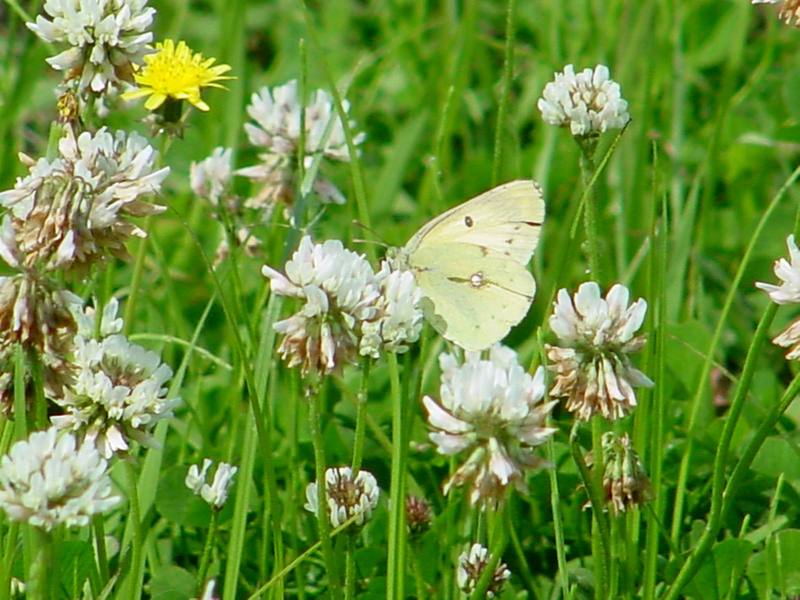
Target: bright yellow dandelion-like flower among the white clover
<point x="174" y="71"/>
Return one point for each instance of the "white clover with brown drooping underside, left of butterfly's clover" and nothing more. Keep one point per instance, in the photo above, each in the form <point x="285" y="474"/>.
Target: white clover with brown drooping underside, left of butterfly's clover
<point x="340" y="292"/>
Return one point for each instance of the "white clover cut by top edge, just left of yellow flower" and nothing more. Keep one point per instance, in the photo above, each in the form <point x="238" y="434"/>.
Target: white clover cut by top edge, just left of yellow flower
<point x="105" y="39"/>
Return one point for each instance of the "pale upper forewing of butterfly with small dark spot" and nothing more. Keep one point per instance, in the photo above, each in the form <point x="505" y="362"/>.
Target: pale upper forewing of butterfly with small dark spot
<point x="506" y="219"/>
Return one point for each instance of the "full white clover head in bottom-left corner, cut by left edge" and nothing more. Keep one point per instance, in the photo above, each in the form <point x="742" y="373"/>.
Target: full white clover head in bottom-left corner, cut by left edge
<point x="47" y="480"/>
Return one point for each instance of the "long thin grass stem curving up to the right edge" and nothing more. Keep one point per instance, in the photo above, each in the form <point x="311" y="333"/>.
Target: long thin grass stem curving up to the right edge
<point x="700" y="390"/>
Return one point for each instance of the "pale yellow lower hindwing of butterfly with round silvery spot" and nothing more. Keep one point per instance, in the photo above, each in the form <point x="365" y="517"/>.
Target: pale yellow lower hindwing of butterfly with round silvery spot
<point x="477" y="295"/>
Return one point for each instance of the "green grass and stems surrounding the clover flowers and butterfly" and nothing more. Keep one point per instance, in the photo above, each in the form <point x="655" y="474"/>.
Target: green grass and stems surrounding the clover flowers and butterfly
<point x="688" y="206"/>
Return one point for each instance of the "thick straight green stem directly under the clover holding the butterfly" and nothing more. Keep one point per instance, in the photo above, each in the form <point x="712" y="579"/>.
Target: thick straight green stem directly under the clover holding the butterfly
<point x="397" y="526"/>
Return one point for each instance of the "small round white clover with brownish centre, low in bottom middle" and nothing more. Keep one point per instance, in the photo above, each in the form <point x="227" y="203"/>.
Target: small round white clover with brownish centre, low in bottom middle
<point x="347" y="496"/>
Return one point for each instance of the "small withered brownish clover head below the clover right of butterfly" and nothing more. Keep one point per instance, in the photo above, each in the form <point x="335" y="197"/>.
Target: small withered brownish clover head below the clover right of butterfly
<point x="625" y="482"/>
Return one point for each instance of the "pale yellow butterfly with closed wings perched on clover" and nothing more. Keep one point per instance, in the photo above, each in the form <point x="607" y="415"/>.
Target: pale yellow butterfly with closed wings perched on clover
<point x="471" y="264"/>
